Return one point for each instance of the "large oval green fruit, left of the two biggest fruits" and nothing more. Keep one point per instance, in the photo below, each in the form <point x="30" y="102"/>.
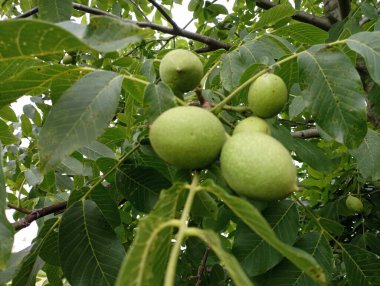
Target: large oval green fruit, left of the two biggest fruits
<point x="187" y="137"/>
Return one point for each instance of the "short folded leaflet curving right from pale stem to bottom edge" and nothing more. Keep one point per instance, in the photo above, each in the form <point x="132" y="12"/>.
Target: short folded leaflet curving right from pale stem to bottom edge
<point x="229" y="261"/>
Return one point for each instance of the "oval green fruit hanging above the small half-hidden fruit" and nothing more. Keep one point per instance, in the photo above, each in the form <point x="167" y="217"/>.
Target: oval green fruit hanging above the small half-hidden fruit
<point x="267" y="95"/>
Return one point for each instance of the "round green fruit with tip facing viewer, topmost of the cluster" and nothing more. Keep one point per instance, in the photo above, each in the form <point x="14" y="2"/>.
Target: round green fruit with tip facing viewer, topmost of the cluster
<point x="181" y="70"/>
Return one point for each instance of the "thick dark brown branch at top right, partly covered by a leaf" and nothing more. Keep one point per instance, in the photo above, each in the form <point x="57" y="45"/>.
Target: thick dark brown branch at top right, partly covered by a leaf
<point x="320" y="22"/>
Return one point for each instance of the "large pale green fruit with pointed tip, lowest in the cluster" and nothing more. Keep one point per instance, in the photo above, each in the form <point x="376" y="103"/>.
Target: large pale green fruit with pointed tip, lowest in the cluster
<point x="258" y="166"/>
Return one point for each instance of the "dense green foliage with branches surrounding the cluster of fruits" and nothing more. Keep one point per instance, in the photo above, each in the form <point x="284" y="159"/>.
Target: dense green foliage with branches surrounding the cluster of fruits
<point x="109" y="211"/>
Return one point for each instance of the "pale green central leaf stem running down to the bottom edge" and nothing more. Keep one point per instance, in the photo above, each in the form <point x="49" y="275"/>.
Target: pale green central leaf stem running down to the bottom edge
<point x="172" y="264"/>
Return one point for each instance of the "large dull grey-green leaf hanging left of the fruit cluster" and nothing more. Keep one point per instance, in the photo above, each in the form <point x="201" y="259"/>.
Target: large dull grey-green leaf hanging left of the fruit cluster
<point x="76" y="121"/>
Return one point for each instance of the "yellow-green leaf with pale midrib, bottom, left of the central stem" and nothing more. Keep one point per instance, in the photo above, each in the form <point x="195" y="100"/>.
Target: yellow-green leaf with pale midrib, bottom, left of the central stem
<point x="146" y="260"/>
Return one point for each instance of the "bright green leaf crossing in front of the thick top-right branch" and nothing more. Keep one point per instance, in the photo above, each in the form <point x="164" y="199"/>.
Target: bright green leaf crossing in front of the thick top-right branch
<point x="274" y="15"/>
